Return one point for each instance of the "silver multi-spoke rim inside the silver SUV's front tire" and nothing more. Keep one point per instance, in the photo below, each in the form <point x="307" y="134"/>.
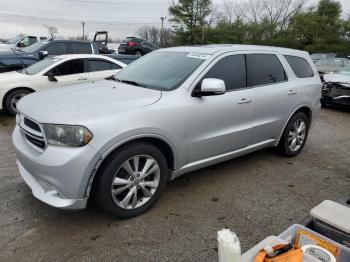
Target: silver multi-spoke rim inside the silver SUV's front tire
<point x="135" y="182"/>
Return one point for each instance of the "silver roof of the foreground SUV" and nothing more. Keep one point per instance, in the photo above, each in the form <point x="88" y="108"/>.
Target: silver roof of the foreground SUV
<point x="212" y="49"/>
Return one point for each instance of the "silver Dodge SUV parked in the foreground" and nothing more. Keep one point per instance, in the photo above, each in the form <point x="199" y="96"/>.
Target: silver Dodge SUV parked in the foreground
<point x="171" y="112"/>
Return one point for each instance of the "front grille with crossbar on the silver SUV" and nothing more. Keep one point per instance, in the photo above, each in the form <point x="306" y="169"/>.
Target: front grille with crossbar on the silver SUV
<point x="32" y="132"/>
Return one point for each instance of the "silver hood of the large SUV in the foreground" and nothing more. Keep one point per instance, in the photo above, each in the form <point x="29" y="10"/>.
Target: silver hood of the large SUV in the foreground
<point x="80" y="103"/>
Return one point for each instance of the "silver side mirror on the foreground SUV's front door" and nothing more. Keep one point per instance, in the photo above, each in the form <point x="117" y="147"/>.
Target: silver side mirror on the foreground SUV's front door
<point x="210" y="87"/>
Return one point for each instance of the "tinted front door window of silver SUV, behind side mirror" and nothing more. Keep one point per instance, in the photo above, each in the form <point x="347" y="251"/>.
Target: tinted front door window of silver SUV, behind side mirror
<point x="232" y="70"/>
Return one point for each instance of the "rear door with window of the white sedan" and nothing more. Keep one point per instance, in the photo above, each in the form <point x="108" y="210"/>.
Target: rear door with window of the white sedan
<point x="101" y="68"/>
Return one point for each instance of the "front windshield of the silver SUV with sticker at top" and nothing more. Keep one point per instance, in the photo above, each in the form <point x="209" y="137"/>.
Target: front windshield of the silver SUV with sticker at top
<point x="161" y="70"/>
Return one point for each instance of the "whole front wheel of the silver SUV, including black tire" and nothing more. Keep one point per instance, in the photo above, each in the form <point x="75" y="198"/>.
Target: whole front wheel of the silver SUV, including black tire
<point x="114" y="198"/>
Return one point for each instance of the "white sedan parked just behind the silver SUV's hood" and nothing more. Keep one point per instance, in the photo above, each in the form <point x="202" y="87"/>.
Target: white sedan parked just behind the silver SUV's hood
<point x="52" y="73"/>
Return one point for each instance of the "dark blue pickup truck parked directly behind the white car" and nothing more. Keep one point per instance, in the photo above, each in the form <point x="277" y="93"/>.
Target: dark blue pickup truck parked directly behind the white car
<point x="18" y="59"/>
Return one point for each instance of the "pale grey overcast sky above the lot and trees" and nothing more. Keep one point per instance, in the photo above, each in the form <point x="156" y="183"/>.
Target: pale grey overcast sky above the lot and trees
<point x="120" y="17"/>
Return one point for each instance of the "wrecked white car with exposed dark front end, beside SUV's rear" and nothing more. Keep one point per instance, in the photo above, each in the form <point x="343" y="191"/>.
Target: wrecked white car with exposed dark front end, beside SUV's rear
<point x="336" y="89"/>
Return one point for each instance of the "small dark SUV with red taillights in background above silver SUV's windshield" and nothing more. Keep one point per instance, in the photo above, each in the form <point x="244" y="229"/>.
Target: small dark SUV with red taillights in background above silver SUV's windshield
<point x="136" y="46"/>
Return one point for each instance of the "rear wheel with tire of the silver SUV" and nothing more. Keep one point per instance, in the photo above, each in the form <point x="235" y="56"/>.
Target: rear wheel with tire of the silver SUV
<point x="292" y="142"/>
